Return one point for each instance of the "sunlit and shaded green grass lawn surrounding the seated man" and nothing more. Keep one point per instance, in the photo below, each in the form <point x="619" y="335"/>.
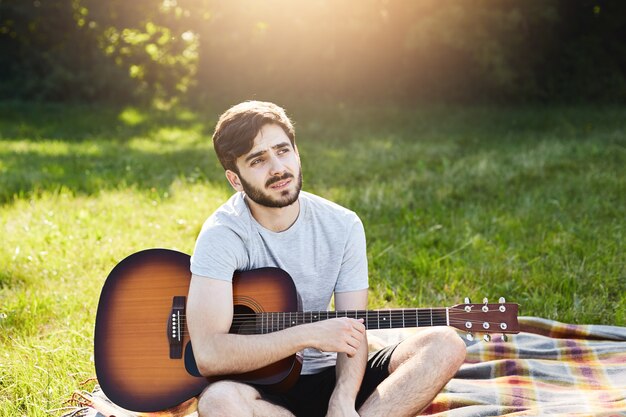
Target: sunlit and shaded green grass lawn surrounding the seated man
<point x="527" y="203"/>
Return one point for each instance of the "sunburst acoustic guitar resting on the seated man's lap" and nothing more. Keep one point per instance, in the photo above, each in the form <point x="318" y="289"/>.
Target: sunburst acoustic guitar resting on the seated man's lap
<point x="143" y="355"/>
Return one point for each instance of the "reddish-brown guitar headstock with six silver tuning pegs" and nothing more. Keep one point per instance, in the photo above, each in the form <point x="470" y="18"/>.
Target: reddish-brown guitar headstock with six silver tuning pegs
<point x="485" y="318"/>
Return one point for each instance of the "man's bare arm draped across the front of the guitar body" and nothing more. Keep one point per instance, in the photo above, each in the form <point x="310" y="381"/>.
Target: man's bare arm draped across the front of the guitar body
<point x="209" y="317"/>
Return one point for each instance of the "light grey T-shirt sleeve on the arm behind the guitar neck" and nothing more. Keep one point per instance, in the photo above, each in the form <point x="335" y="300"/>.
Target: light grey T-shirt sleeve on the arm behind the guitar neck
<point x="353" y="275"/>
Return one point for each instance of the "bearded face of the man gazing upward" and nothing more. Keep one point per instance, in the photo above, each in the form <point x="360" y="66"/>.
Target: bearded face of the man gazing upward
<point x="270" y="173"/>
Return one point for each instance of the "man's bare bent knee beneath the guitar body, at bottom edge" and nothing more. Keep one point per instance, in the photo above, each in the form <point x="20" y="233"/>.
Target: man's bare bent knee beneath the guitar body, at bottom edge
<point x="234" y="399"/>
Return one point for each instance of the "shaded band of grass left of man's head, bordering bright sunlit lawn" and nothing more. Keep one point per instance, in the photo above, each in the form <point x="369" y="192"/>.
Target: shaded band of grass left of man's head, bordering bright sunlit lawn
<point x="113" y="167"/>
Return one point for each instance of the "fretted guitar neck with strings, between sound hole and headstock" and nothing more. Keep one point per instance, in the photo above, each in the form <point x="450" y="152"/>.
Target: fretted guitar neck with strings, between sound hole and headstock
<point x="372" y="319"/>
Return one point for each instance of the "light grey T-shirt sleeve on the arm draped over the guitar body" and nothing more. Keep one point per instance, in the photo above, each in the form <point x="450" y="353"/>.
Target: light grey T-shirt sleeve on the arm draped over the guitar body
<point x="219" y="252"/>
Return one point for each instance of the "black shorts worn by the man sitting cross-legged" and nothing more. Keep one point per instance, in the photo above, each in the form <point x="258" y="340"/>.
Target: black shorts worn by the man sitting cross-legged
<point x="309" y="397"/>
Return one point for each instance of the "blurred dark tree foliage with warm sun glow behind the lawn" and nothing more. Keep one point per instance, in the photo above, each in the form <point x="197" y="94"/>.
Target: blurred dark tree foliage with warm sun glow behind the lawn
<point x="444" y="50"/>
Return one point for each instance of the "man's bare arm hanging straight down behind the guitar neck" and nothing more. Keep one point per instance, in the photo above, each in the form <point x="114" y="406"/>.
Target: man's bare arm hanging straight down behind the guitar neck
<point x="349" y="370"/>
